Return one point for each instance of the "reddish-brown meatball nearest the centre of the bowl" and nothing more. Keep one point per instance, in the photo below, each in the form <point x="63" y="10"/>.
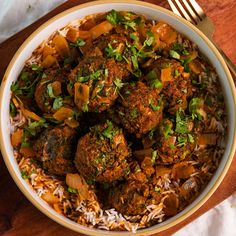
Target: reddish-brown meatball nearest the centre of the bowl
<point x="140" y="109"/>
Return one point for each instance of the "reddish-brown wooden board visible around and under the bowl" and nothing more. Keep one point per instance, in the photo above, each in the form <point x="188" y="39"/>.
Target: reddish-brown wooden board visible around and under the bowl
<point x="18" y="216"/>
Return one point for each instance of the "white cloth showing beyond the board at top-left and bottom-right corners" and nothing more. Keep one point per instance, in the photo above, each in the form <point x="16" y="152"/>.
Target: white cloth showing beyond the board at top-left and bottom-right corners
<point x="17" y="14"/>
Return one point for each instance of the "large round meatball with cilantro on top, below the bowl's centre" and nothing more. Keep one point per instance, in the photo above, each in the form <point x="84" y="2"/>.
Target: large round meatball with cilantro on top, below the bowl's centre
<point x="102" y="153"/>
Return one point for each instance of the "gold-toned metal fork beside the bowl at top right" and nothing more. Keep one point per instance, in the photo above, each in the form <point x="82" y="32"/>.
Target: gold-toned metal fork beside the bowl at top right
<point x="192" y="12"/>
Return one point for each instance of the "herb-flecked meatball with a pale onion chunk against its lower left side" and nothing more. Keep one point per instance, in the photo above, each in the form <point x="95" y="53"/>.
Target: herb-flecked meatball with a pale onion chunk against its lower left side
<point x="100" y="75"/>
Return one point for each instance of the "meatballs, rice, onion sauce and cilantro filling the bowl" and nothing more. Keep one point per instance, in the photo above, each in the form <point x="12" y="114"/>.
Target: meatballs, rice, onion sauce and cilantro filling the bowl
<point x="118" y="122"/>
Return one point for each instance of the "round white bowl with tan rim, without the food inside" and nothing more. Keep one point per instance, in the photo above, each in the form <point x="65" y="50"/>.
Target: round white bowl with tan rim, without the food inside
<point x="151" y="11"/>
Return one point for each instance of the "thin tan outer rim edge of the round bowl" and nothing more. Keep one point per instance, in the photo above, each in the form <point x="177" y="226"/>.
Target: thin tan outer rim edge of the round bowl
<point x="93" y="231"/>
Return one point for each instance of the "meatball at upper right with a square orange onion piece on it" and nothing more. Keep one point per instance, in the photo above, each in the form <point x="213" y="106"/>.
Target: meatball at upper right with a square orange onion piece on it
<point x="176" y="90"/>
